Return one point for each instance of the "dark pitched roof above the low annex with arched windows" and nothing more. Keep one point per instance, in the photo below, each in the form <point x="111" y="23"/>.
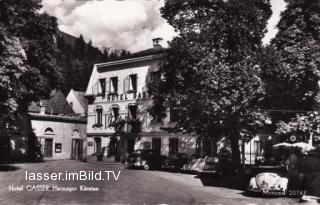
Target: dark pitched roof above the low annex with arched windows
<point x="56" y="105"/>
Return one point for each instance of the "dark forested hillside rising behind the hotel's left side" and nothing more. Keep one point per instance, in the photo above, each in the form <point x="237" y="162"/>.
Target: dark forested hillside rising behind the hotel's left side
<point x="76" y="59"/>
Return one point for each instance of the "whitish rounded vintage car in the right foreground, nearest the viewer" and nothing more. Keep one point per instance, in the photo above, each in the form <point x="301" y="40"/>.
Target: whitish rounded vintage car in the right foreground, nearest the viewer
<point x="269" y="180"/>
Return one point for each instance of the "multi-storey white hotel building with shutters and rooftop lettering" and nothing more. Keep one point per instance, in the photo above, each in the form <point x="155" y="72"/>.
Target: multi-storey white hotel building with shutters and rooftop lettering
<point x="117" y="92"/>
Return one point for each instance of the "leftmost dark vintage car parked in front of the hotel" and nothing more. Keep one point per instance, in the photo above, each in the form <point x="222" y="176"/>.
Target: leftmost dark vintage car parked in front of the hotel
<point x="145" y="158"/>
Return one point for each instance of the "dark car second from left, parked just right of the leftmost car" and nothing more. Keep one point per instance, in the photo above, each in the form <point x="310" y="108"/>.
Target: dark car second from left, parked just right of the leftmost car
<point x="175" y="162"/>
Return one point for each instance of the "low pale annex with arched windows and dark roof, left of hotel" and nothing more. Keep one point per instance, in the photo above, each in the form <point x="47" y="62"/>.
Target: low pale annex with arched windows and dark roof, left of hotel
<point x="60" y="132"/>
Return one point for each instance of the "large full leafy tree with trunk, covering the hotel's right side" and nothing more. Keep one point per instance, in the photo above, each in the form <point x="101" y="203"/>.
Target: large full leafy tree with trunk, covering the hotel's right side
<point x="210" y="73"/>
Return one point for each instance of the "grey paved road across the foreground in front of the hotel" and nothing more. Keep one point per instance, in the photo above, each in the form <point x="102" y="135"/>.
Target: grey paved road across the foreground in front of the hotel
<point x="132" y="187"/>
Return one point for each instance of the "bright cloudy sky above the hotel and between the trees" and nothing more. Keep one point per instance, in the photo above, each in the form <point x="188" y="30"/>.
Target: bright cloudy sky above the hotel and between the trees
<point x="124" y="24"/>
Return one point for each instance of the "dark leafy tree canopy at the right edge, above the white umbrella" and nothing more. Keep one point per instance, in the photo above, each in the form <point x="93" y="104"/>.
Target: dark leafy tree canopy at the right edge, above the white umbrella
<point x="298" y="43"/>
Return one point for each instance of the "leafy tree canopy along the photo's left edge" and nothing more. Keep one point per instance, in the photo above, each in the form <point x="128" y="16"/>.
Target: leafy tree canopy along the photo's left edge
<point x="27" y="36"/>
